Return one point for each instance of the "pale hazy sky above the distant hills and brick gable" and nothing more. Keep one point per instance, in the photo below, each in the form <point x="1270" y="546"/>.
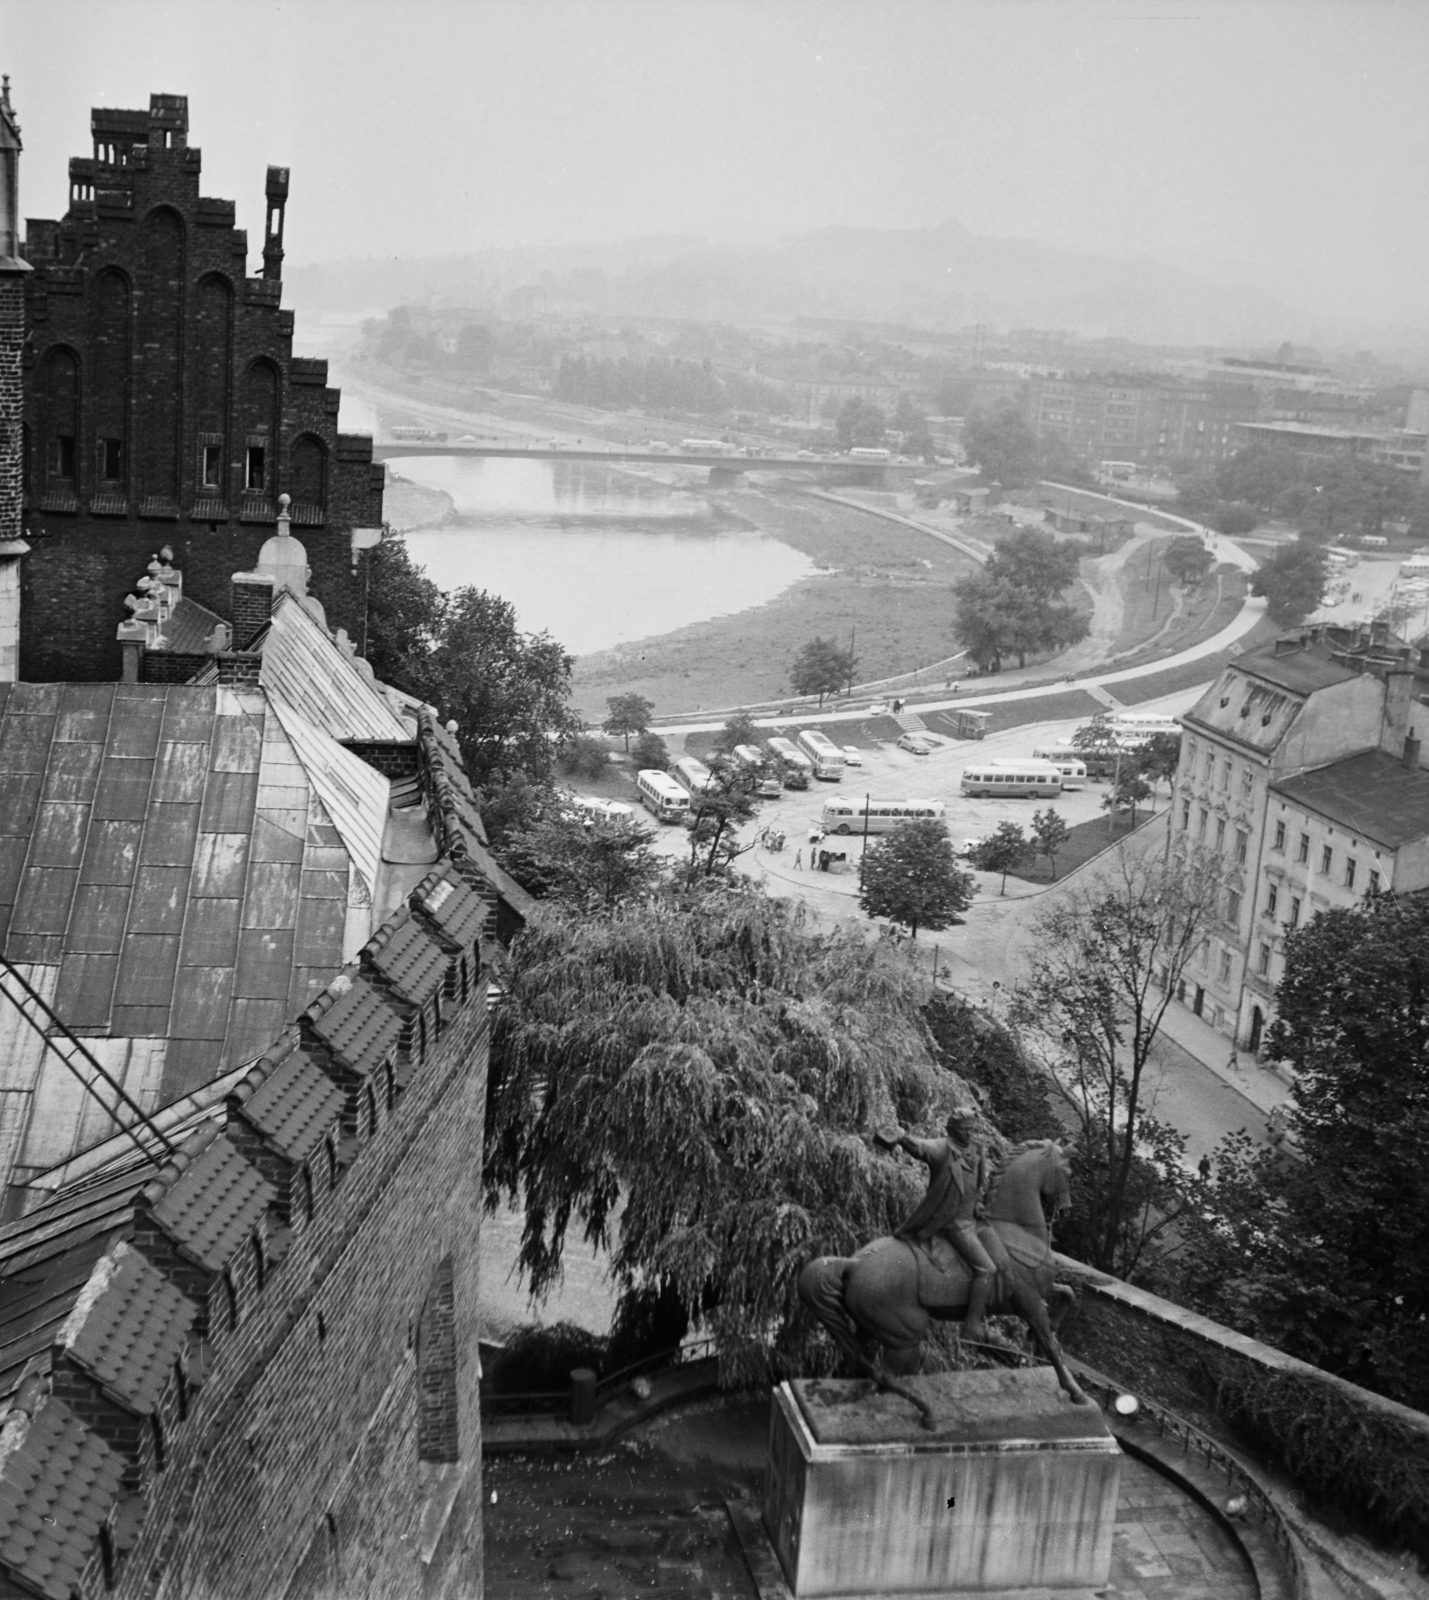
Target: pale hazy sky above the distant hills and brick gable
<point x="1283" y="145"/>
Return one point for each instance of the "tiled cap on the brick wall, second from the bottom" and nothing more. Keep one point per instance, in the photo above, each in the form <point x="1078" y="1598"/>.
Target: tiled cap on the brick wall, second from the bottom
<point x="130" y="1327"/>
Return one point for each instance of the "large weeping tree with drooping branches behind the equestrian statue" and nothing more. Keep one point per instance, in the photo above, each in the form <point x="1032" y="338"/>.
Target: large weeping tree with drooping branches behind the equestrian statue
<point x="714" y="1070"/>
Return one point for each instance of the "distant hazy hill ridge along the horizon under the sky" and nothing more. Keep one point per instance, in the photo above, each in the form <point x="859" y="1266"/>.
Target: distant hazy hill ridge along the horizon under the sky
<point x="940" y="279"/>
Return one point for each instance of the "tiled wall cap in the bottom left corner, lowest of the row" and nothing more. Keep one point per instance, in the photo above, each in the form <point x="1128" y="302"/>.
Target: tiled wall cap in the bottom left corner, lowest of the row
<point x="58" y="1482"/>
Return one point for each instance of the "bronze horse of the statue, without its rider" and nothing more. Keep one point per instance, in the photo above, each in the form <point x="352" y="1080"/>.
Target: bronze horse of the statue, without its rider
<point x="894" y="1290"/>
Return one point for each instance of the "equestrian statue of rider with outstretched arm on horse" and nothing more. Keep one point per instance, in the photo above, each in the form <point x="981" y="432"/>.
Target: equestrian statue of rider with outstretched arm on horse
<point x="979" y="1242"/>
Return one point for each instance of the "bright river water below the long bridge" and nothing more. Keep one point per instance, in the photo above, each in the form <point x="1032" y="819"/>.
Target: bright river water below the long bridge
<point x="591" y="554"/>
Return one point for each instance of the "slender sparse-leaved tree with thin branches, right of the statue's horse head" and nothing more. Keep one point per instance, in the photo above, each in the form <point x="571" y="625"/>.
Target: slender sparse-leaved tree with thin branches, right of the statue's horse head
<point x="1107" y="961"/>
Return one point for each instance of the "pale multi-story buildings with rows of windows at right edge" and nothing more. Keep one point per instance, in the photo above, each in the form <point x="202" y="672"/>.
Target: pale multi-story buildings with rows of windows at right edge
<point x="1267" y="756"/>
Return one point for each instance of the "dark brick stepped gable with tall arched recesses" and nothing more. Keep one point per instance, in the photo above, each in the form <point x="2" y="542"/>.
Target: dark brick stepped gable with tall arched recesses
<point x="167" y="404"/>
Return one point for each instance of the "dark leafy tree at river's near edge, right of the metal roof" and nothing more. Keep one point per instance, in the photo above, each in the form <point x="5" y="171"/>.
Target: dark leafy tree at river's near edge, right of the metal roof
<point x="506" y="690"/>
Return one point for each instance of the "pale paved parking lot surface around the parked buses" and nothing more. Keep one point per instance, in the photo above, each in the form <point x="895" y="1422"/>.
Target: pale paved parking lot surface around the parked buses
<point x="891" y="774"/>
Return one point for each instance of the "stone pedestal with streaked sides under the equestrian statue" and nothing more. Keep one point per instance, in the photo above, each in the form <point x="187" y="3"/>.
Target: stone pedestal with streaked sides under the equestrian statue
<point x="1017" y="1489"/>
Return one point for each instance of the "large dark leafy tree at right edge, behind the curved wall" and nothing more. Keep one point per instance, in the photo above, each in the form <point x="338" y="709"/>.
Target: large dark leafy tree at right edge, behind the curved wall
<point x="1324" y="1255"/>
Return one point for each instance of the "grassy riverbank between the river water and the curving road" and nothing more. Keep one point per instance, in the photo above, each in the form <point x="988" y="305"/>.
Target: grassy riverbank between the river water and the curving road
<point x="884" y="586"/>
